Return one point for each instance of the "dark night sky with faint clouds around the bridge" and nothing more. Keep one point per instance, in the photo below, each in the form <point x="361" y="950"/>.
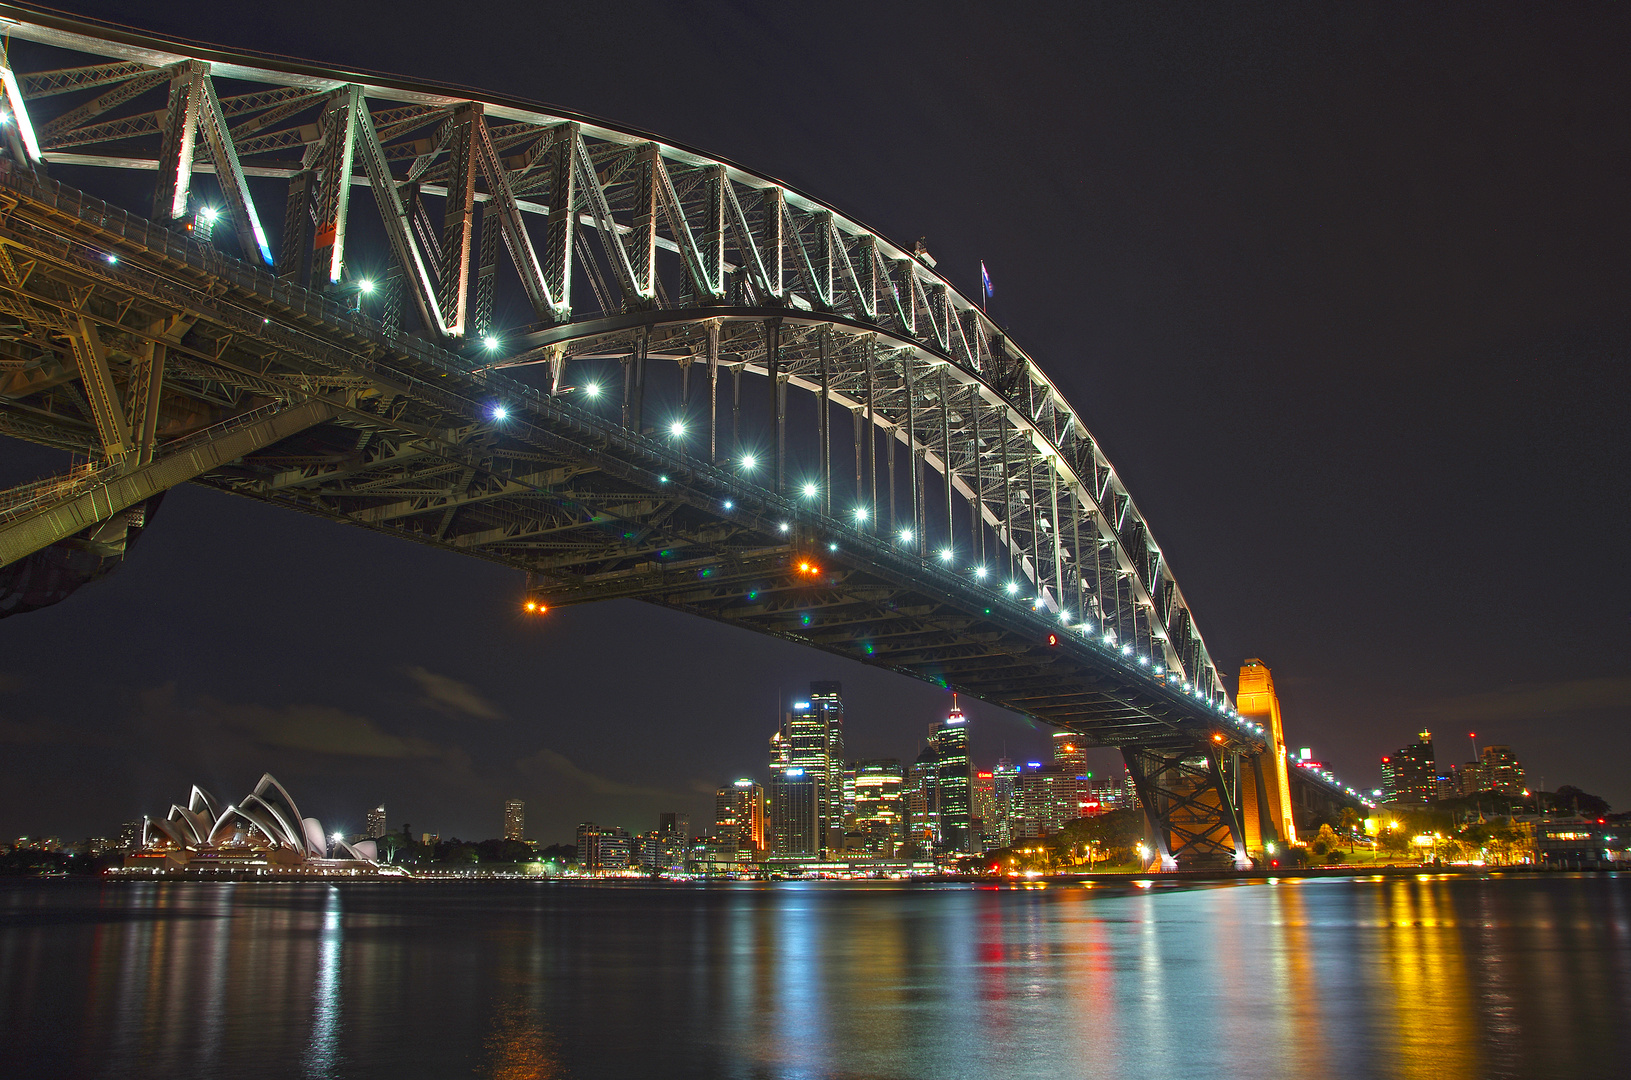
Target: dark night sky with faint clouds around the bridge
<point x="1343" y="291"/>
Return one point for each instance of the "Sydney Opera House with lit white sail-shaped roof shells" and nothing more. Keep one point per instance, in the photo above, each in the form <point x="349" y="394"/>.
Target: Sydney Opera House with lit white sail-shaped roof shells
<point x="263" y="834"/>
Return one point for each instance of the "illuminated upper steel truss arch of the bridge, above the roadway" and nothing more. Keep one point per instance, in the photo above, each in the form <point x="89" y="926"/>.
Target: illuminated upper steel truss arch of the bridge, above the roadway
<point x="735" y="237"/>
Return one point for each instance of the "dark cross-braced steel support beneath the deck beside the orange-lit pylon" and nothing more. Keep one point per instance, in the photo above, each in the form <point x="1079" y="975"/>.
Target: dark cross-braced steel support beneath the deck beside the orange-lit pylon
<point x="1191" y="807"/>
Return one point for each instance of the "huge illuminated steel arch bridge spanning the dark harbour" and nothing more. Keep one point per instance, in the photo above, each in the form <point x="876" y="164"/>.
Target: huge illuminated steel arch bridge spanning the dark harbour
<point x="732" y="399"/>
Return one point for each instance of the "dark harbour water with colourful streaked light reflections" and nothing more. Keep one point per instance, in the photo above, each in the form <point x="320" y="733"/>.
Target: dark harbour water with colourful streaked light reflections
<point x="1408" y="978"/>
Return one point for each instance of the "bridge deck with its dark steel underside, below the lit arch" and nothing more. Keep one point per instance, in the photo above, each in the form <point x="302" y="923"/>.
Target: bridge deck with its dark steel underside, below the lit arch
<point x="131" y="343"/>
